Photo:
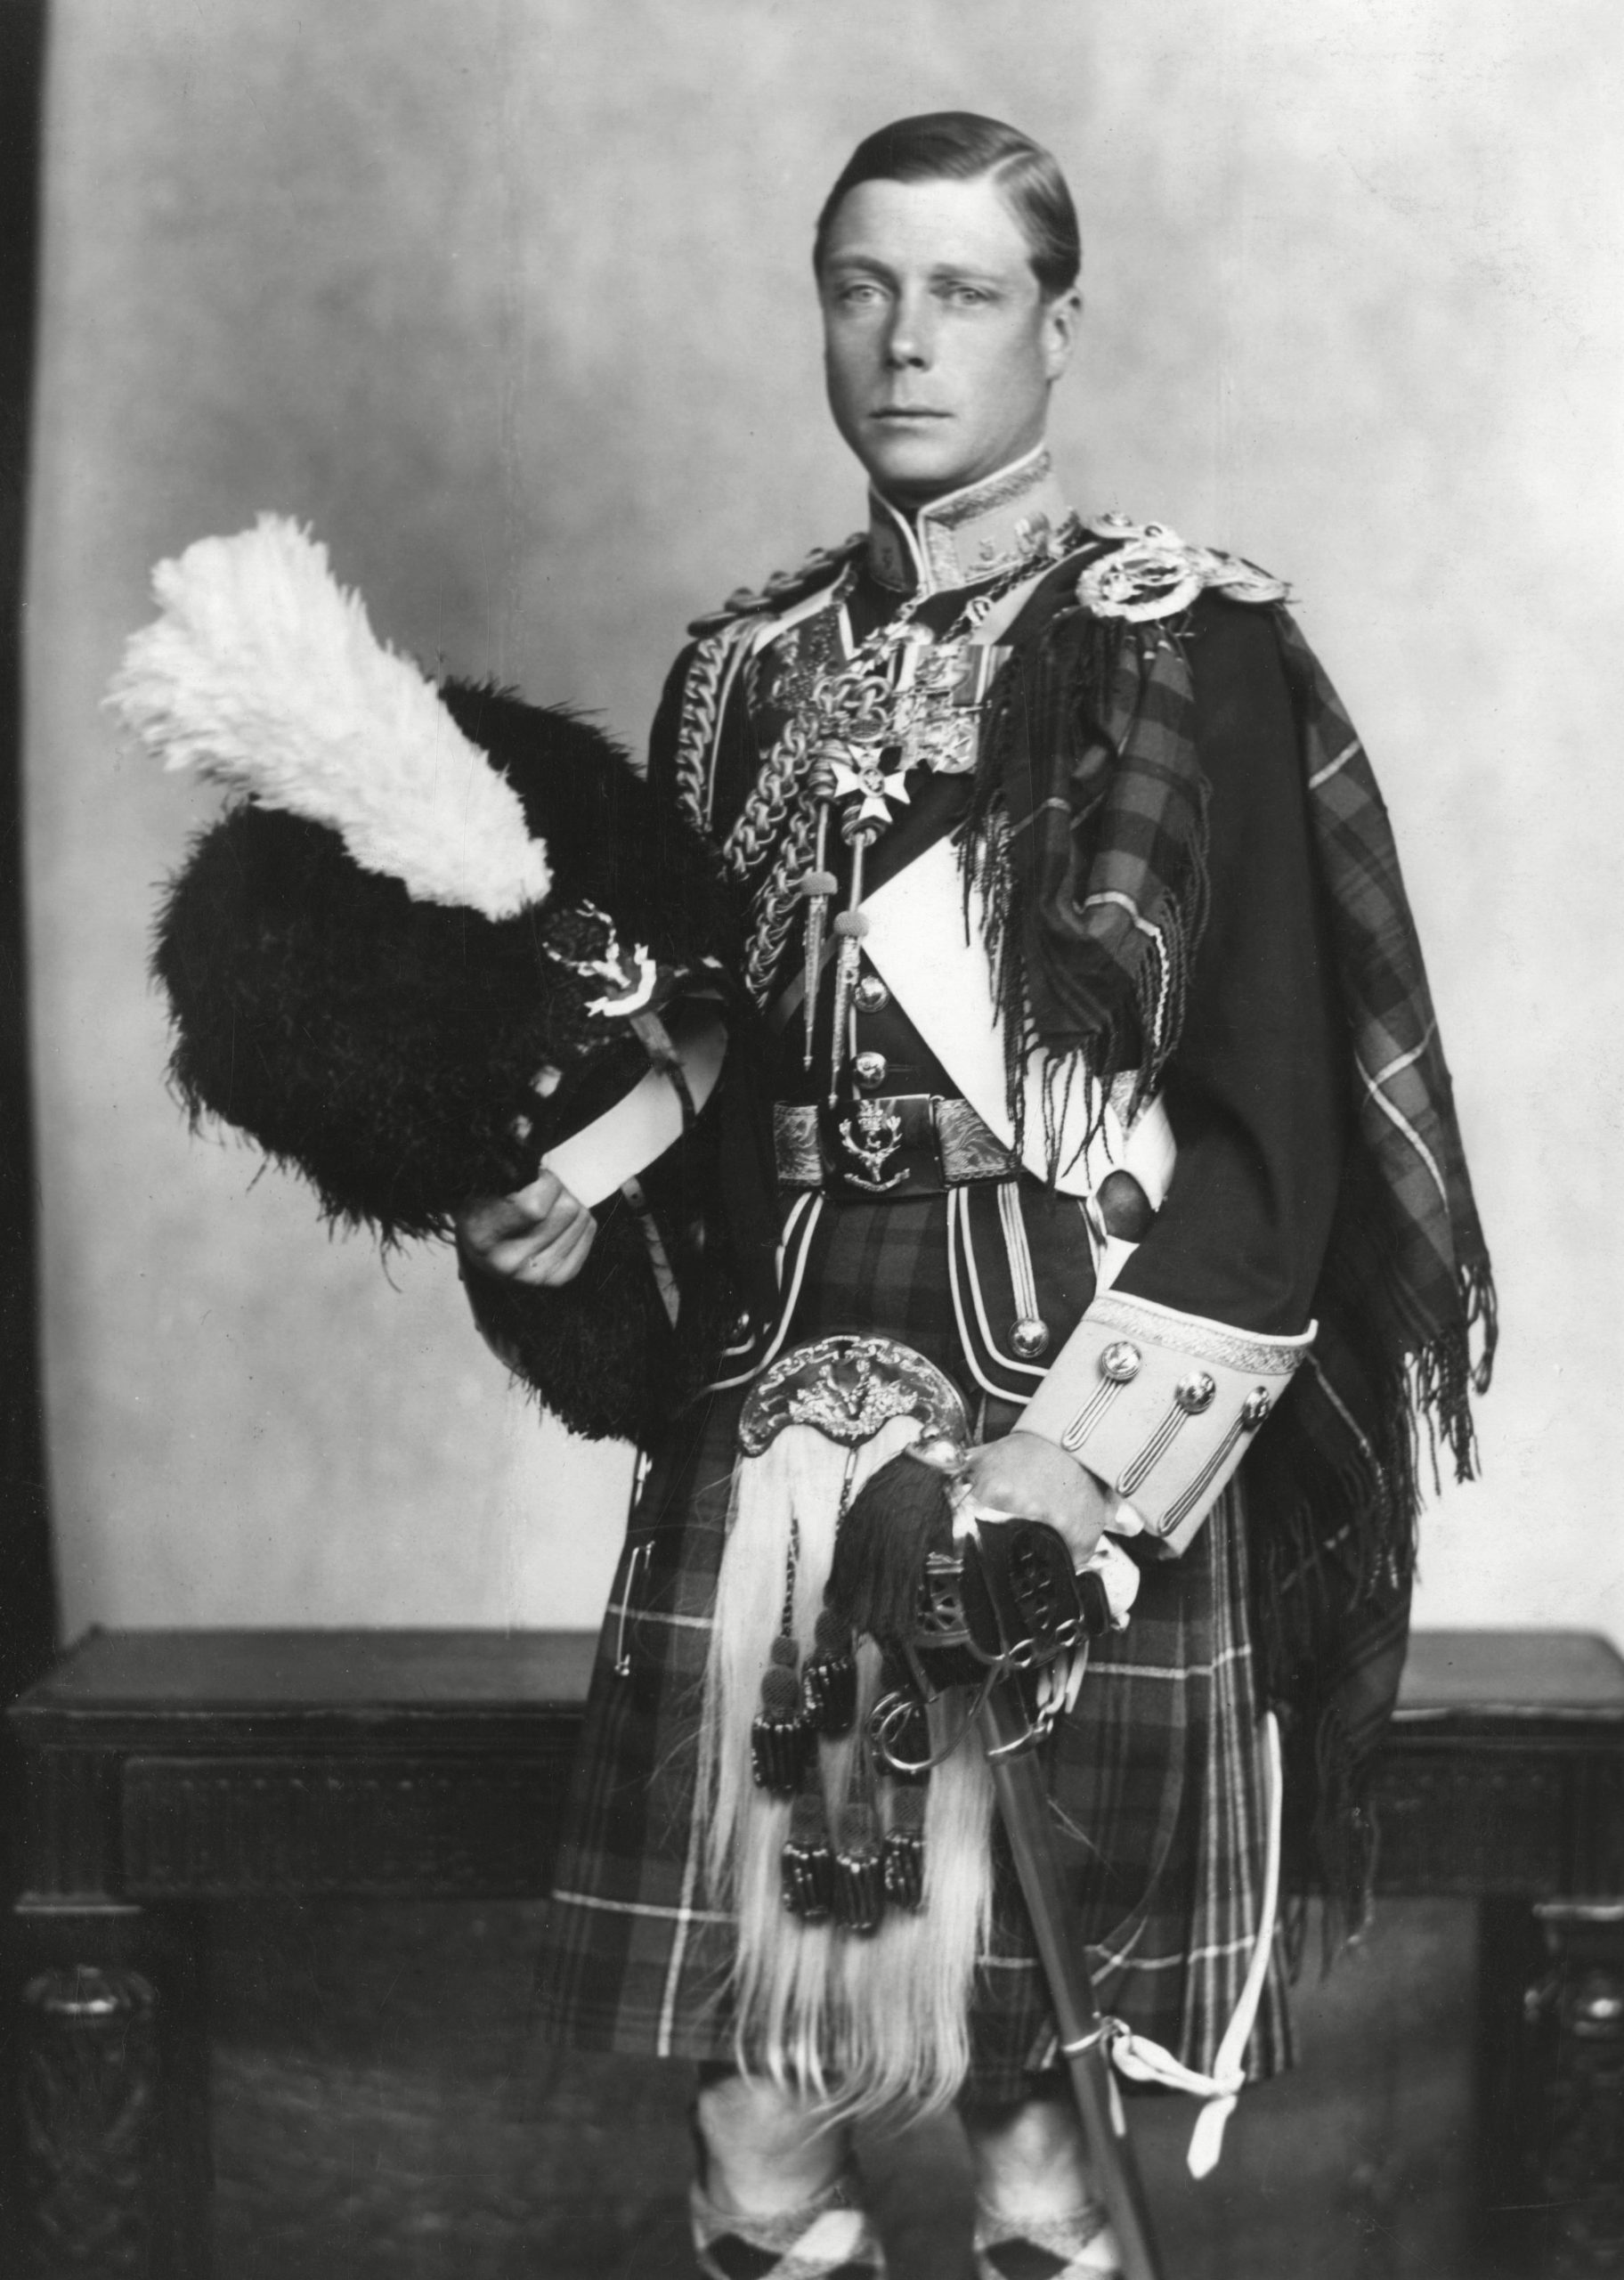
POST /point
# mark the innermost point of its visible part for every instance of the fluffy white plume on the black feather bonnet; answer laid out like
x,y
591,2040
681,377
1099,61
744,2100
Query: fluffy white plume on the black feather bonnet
x,y
263,674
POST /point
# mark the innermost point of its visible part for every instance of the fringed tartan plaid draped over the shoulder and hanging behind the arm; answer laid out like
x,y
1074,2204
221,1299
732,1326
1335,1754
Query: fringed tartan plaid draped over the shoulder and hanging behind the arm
x,y
1098,893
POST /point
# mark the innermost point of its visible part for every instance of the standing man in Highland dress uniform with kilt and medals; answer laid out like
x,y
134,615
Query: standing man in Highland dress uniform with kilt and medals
x,y
1107,1086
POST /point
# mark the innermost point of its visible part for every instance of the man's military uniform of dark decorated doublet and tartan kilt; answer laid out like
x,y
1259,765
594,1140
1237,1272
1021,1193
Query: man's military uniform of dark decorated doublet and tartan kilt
x,y
1139,1269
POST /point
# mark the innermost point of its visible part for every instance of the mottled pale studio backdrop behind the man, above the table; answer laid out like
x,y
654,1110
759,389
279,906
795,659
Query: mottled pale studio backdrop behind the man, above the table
x,y
510,300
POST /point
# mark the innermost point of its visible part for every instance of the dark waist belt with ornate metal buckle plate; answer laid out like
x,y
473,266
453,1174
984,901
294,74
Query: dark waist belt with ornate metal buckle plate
x,y
888,1143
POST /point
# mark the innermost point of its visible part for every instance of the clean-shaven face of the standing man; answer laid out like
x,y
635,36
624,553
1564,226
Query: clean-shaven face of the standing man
x,y
939,343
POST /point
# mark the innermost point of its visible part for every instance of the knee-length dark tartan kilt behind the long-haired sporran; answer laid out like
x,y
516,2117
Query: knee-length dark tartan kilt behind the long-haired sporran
x,y
1158,1775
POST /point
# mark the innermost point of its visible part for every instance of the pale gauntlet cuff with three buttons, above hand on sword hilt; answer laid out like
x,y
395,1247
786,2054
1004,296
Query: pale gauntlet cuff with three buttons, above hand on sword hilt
x,y
1162,1406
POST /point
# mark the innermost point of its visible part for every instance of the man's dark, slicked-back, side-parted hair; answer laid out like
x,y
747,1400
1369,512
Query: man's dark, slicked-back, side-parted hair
x,y
961,147
